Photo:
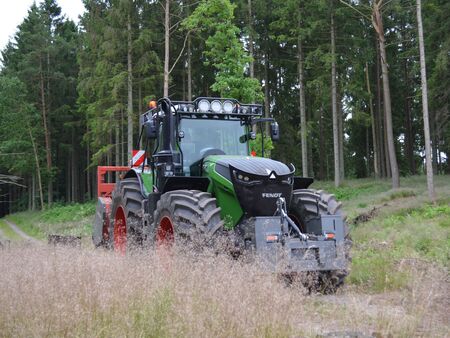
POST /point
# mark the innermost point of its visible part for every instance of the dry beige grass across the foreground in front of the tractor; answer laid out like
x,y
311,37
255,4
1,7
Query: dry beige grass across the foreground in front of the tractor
x,y
57,292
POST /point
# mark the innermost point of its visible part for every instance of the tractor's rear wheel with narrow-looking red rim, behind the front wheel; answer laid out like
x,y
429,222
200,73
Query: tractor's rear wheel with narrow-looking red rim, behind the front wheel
x,y
126,224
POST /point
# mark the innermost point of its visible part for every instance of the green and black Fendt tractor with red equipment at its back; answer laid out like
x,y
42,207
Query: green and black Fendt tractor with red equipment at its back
x,y
203,183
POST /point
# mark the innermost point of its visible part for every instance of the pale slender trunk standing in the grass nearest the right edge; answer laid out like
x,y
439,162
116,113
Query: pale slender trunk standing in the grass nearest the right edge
x,y
426,125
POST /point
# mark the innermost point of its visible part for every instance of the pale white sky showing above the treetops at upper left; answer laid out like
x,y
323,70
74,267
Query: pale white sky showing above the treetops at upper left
x,y
12,13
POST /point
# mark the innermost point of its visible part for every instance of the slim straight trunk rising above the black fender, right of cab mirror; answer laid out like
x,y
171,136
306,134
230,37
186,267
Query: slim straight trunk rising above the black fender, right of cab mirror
x,y
302,109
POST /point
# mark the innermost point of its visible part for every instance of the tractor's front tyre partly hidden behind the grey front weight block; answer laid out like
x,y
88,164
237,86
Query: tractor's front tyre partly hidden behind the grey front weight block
x,y
305,206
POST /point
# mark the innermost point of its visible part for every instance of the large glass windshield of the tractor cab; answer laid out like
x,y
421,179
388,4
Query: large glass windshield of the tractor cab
x,y
210,137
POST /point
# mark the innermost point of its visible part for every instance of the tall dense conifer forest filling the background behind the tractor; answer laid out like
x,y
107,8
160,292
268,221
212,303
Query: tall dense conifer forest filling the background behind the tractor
x,y
342,78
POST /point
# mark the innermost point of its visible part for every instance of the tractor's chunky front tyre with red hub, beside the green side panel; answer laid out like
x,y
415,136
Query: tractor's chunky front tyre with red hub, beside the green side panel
x,y
189,216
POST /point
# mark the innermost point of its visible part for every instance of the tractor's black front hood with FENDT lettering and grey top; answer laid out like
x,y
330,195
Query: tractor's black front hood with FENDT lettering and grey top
x,y
257,182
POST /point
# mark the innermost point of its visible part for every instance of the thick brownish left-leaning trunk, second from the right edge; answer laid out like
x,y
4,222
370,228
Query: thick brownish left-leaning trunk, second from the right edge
x,y
378,25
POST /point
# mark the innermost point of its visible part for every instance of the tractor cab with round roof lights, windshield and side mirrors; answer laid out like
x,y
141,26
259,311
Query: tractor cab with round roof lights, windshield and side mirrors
x,y
189,131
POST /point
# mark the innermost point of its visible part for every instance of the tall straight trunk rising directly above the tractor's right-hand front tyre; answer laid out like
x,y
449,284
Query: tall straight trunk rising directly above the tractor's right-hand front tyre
x,y
337,174
